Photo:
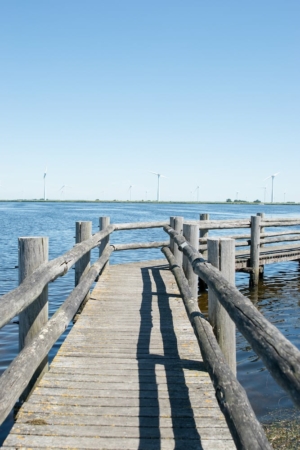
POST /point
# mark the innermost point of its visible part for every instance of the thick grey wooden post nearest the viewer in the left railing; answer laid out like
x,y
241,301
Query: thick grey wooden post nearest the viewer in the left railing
x,y
33,251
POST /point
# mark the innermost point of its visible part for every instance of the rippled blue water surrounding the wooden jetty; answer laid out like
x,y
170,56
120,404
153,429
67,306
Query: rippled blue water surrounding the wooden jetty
x,y
278,296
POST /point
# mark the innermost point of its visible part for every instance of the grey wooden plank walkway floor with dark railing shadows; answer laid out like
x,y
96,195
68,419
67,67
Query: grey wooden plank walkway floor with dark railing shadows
x,y
128,376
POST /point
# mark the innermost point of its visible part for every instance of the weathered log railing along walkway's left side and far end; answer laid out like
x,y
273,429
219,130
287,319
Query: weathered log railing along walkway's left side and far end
x,y
39,335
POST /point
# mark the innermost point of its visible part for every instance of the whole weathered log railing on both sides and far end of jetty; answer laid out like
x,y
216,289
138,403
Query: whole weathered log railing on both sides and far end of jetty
x,y
279,355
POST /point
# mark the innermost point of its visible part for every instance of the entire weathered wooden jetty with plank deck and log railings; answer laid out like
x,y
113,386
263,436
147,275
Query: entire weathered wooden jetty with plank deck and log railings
x,y
143,368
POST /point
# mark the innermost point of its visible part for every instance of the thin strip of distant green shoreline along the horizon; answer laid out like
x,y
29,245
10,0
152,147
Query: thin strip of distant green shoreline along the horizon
x,y
152,202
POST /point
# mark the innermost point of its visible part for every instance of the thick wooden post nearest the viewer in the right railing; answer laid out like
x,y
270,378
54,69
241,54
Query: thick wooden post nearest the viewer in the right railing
x,y
221,254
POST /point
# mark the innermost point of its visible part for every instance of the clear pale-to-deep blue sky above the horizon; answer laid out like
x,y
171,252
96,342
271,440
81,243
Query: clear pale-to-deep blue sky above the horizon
x,y
102,92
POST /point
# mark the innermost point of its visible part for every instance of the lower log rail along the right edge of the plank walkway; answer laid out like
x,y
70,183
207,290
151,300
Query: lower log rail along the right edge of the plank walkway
x,y
246,430
